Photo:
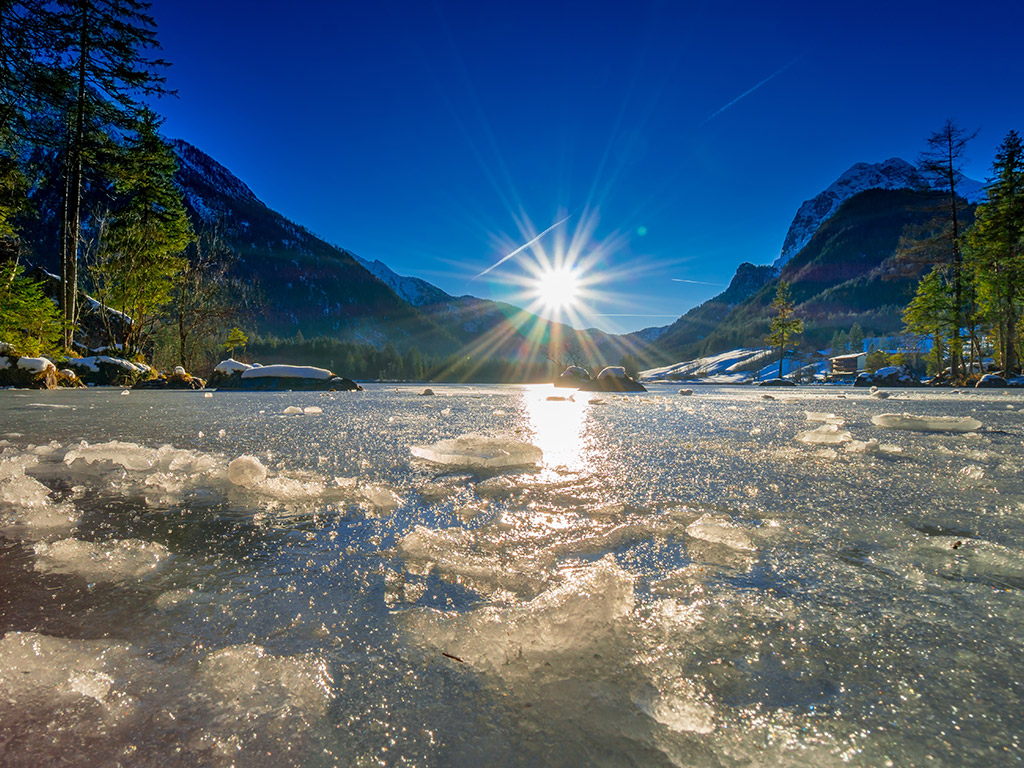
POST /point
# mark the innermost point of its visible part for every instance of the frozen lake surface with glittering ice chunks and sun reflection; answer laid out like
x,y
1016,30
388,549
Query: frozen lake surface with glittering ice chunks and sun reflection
x,y
734,578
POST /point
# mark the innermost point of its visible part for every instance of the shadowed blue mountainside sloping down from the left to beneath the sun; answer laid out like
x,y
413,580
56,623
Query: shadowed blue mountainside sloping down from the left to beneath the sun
x,y
313,287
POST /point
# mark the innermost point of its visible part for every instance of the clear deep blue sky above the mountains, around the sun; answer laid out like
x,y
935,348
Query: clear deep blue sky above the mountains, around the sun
x,y
681,137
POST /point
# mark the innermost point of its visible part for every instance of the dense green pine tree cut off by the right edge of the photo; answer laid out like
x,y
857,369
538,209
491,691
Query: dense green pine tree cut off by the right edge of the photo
x,y
997,248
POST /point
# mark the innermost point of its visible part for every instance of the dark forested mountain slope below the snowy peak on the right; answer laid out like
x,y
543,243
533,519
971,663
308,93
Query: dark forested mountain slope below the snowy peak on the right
x,y
844,275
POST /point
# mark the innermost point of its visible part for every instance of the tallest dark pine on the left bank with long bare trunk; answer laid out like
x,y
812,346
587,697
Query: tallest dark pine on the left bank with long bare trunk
x,y
105,59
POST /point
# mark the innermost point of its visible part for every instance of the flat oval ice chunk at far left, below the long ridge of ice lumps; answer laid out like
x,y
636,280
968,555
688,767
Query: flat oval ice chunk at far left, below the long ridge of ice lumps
x,y
105,562
